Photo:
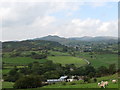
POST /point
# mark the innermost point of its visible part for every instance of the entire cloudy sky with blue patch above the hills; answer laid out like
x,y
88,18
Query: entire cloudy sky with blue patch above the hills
x,y
26,20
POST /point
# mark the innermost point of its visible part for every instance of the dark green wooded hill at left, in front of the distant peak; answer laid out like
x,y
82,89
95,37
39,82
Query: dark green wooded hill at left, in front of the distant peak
x,y
30,45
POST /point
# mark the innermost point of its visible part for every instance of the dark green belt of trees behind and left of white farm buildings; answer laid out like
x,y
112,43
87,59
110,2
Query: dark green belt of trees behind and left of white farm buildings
x,y
36,73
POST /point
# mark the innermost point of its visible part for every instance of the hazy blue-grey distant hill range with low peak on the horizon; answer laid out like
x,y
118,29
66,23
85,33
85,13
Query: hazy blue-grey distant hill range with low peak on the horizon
x,y
77,40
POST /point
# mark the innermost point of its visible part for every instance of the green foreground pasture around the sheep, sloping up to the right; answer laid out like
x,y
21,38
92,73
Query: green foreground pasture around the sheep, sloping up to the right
x,y
78,84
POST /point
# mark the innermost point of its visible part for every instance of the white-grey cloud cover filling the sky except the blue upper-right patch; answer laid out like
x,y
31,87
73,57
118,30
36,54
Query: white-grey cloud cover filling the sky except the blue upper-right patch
x,y
31,20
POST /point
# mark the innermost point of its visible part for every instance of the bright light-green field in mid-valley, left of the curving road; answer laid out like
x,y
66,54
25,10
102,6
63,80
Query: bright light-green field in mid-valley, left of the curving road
x,y
67,60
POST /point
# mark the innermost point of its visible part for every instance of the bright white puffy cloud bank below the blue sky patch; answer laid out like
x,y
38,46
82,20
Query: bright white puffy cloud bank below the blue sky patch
x,y
89,27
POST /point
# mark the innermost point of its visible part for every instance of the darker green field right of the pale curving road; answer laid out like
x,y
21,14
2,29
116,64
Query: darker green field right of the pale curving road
x,y
100,59
